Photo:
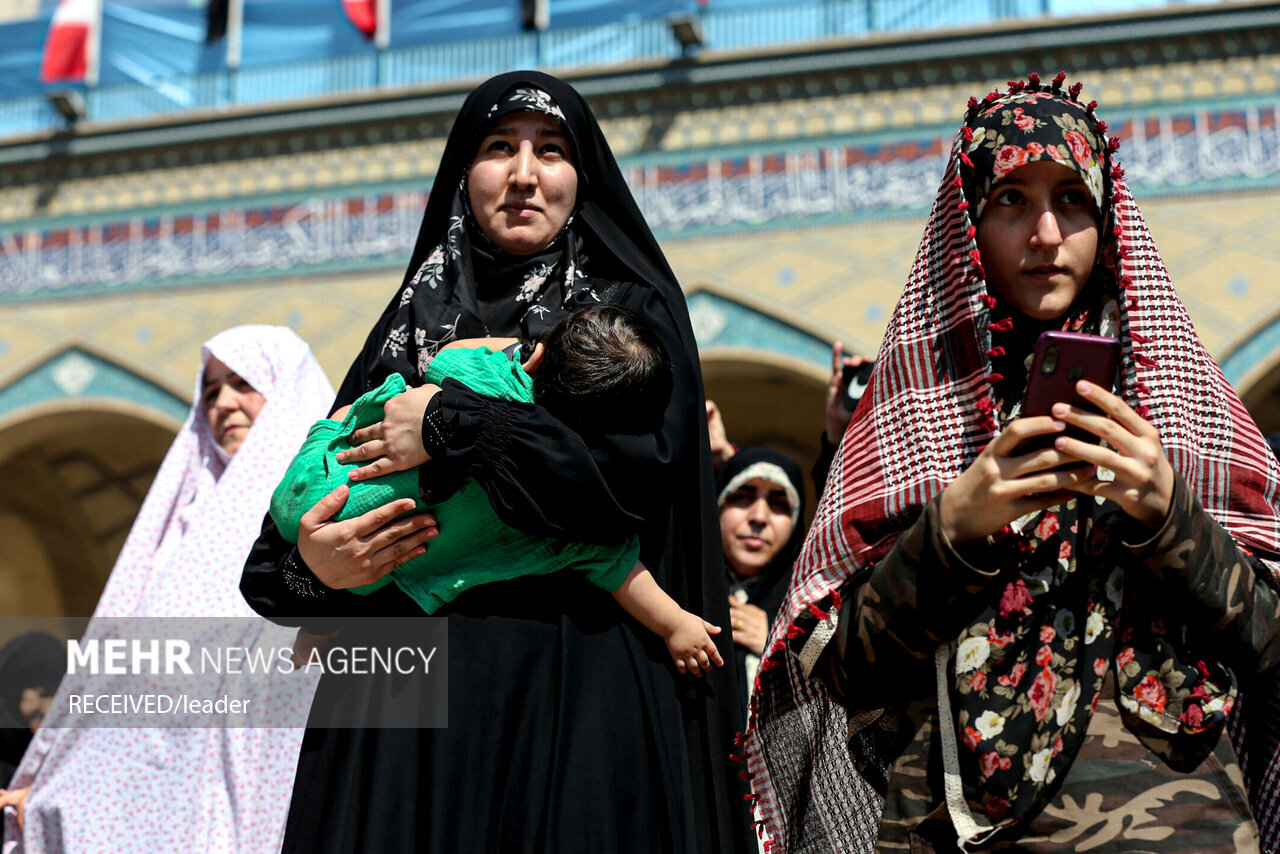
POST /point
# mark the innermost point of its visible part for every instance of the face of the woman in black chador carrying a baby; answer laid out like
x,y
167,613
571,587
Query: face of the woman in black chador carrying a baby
x,y
523,185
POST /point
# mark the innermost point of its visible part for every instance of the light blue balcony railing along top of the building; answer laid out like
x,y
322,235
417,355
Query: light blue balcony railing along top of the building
x,y
601,45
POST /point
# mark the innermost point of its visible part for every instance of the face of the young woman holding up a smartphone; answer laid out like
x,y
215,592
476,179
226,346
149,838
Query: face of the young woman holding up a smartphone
x,y
1039,239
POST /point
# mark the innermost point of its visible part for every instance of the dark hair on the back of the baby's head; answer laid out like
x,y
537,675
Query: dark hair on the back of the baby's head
x,y
605,371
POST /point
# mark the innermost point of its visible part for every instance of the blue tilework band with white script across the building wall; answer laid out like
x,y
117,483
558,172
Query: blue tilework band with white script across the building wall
x,y
801,185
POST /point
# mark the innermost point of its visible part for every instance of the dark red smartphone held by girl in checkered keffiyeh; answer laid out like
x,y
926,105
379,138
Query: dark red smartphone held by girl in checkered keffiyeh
x,y
1060,360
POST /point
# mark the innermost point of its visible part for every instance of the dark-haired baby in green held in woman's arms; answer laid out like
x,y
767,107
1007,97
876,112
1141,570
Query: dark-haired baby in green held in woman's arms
x,y
601,369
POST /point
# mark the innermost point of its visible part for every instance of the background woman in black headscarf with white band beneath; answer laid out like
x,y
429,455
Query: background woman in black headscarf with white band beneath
x,y
761,497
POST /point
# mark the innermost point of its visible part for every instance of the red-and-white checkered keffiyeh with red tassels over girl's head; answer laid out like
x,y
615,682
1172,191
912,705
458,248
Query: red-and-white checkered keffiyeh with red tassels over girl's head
x,y
930,413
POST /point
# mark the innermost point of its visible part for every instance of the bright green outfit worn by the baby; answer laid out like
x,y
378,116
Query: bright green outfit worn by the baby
x,y
474,546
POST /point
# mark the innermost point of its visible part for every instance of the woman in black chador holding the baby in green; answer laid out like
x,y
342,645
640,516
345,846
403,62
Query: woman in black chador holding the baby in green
x,y
569,730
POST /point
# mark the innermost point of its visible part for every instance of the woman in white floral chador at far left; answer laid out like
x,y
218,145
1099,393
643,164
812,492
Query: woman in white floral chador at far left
x,y
170,791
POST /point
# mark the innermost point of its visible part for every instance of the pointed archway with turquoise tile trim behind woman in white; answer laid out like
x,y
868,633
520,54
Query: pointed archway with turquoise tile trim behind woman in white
x,y
85,437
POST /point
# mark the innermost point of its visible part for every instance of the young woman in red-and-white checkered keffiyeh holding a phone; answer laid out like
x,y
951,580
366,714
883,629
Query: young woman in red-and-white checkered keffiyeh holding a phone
x,y
994,650
